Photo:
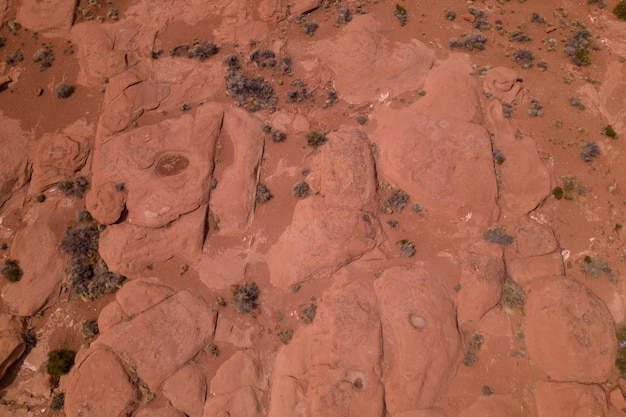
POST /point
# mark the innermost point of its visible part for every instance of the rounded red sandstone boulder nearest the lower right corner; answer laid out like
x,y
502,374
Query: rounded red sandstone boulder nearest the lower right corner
x,y
569,332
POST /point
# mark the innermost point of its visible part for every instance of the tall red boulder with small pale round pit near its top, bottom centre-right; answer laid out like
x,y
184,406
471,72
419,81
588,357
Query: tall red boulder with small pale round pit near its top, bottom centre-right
x,y
421,342
